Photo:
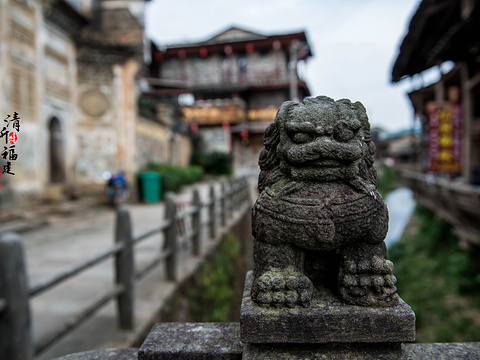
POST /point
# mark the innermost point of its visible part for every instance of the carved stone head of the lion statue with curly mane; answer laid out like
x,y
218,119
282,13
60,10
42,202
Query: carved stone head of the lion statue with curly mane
x,y
319,140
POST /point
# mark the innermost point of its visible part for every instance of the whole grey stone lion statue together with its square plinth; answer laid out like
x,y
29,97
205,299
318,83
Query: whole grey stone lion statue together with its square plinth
x,y
321,282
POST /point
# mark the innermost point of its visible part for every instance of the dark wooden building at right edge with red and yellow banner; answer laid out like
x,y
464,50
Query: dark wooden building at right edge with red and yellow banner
x,y
447,31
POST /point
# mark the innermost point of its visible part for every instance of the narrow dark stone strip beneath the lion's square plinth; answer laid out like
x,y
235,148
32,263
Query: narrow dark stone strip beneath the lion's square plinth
x,y
385,351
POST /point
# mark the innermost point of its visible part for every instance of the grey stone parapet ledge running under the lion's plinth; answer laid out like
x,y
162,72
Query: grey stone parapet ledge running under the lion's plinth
x,y
335,351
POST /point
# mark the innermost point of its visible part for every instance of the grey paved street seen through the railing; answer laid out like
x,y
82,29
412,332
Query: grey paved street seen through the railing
x,y
68,241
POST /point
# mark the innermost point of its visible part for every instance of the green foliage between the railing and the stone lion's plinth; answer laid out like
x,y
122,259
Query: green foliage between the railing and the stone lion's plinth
x,y
213,296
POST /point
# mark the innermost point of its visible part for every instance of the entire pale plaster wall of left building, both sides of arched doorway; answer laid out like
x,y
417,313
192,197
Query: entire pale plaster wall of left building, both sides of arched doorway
x,y
91,144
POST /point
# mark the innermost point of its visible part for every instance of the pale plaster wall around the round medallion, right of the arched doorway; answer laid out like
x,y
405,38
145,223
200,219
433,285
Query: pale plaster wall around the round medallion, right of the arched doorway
x,y
108,142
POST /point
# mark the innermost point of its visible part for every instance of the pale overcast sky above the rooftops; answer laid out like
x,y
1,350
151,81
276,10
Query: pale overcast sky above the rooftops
x,y
354,42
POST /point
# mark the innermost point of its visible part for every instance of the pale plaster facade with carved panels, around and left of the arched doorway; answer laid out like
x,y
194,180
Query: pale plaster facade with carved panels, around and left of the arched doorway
x,y
32,166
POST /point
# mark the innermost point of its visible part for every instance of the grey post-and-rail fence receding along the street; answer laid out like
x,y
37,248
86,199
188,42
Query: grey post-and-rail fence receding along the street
x,y
15,294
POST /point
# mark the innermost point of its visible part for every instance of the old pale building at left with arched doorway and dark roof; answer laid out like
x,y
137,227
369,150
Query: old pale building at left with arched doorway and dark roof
x,y
68,68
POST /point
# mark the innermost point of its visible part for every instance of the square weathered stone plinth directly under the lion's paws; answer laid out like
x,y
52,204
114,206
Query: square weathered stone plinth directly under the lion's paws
x,y
326,320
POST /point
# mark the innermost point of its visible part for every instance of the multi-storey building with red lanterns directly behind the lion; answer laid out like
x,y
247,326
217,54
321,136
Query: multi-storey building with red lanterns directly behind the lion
x,y
237,80
